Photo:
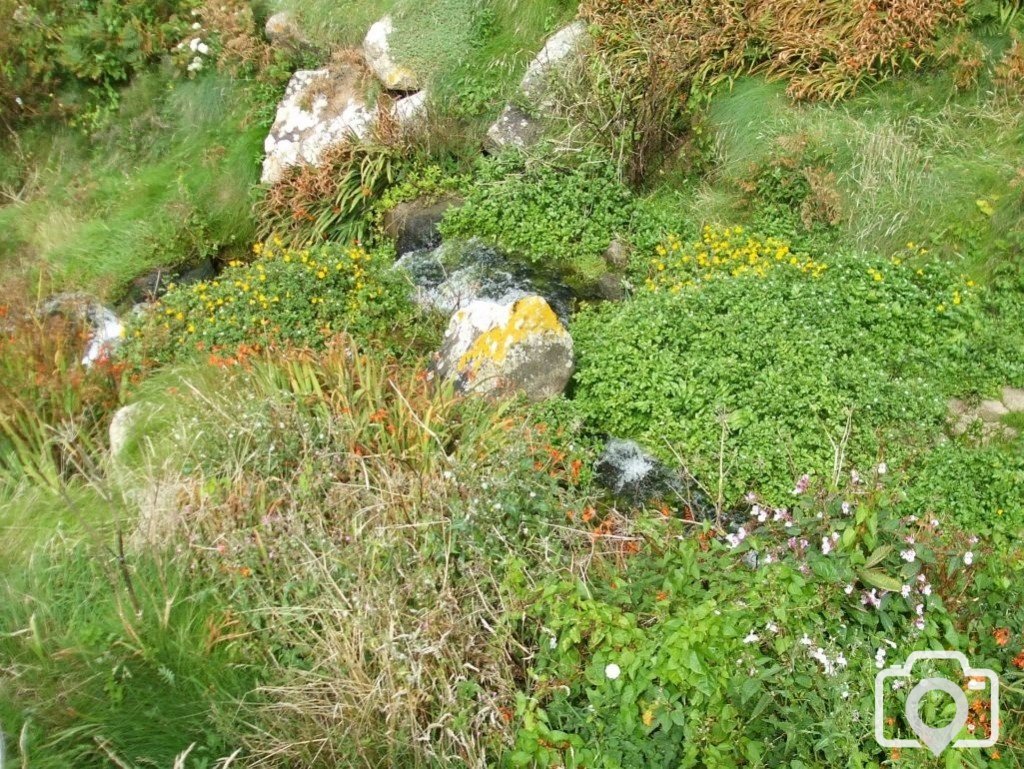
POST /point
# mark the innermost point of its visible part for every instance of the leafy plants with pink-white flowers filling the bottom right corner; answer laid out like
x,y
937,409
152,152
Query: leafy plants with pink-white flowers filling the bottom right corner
x,y
686,655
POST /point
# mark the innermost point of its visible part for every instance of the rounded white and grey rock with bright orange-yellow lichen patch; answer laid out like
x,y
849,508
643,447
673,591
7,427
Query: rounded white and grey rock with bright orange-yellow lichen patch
x,y
494,349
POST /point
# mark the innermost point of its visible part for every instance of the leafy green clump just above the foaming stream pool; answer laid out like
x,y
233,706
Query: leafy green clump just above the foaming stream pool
x,y
560,217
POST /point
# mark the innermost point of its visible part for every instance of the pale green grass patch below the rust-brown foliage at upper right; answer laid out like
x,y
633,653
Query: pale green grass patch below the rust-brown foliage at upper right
x,y
911,160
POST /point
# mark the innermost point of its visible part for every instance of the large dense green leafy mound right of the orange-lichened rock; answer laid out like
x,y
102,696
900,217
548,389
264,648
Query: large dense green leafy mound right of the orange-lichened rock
x,y
789,362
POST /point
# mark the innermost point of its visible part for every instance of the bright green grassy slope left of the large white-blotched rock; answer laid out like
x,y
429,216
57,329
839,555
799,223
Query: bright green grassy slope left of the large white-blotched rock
x,y
168,182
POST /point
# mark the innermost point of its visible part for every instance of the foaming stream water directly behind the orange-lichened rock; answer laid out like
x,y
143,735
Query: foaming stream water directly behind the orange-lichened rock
x,y
455,275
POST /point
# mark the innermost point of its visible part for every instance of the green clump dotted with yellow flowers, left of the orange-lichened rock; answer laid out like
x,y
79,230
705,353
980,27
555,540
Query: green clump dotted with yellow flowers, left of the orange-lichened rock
x,y
297,297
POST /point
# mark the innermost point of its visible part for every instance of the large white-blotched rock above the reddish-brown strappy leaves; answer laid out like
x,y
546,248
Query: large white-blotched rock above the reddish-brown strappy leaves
x,y
321,109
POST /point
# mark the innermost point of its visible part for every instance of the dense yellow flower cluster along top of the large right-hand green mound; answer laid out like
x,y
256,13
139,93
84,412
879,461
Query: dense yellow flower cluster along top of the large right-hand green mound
x,y
723,253
